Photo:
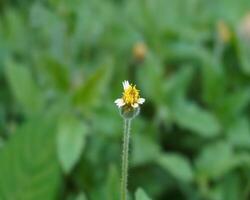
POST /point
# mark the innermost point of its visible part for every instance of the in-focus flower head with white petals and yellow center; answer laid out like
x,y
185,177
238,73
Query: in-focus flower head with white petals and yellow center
x,y
130,98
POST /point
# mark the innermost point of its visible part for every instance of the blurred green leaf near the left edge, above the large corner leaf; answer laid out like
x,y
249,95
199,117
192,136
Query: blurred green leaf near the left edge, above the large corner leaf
x,y
23,86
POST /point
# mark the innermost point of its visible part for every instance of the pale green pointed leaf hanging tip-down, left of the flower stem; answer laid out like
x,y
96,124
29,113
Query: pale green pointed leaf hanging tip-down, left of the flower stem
x,y
70,142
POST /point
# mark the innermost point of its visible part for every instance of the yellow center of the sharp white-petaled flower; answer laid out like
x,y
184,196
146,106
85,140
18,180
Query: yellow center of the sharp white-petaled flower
x,y
130,95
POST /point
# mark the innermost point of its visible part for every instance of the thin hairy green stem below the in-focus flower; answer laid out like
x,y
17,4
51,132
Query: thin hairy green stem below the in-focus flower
x,y
125,151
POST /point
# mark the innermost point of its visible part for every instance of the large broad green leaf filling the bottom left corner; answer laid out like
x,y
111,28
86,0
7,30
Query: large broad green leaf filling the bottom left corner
x,y
28,164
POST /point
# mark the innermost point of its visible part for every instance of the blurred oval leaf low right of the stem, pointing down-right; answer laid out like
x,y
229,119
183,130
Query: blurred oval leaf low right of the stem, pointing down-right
x,y
177,165
